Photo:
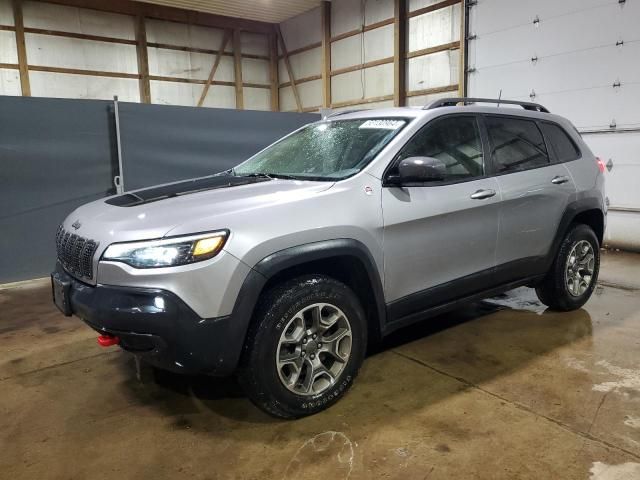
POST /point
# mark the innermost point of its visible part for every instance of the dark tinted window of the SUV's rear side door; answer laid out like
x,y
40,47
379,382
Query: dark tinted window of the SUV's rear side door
x,y
516,144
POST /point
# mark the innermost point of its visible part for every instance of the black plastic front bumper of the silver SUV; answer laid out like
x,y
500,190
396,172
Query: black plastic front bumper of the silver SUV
x,y
157,325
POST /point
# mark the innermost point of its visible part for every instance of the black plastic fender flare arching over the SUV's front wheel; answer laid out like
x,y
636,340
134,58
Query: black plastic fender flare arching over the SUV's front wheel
x,y
277,262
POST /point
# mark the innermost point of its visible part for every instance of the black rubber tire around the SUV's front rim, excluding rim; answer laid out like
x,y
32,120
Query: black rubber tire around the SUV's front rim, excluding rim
x,y
258,373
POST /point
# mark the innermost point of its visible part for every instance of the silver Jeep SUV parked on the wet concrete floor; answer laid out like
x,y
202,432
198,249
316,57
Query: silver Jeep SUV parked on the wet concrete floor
x,y
283,269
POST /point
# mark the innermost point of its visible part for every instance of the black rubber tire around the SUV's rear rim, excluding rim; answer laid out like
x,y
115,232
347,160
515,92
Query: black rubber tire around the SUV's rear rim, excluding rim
x,y
553,290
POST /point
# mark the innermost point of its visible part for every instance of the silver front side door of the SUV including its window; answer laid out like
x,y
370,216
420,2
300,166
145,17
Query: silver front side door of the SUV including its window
x,y
440,237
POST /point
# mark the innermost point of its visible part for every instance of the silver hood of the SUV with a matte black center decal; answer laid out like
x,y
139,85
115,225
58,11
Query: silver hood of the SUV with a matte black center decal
x,y
198,207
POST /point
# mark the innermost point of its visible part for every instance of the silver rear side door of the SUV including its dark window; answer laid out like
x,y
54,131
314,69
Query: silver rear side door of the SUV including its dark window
x,y
535,188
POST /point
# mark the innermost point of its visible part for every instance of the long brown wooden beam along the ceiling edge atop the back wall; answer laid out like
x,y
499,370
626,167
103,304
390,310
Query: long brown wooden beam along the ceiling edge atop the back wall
x,y
161,12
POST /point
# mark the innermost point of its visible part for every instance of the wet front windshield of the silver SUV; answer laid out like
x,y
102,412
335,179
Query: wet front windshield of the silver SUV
x,y
330,150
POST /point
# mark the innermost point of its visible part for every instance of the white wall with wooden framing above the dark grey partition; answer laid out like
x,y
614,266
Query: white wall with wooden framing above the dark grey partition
x,y
342,54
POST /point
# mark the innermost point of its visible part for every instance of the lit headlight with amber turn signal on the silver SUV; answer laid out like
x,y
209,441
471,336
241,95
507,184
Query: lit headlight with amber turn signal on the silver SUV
x,y
167,252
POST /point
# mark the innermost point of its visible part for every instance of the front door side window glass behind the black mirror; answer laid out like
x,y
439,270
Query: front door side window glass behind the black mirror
x,y
455,141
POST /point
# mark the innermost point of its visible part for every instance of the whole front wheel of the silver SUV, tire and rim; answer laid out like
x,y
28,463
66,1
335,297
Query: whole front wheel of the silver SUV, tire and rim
x,y
305,346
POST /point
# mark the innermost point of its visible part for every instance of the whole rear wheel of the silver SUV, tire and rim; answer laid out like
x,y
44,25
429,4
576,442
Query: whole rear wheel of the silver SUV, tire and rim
x,y
573,275
